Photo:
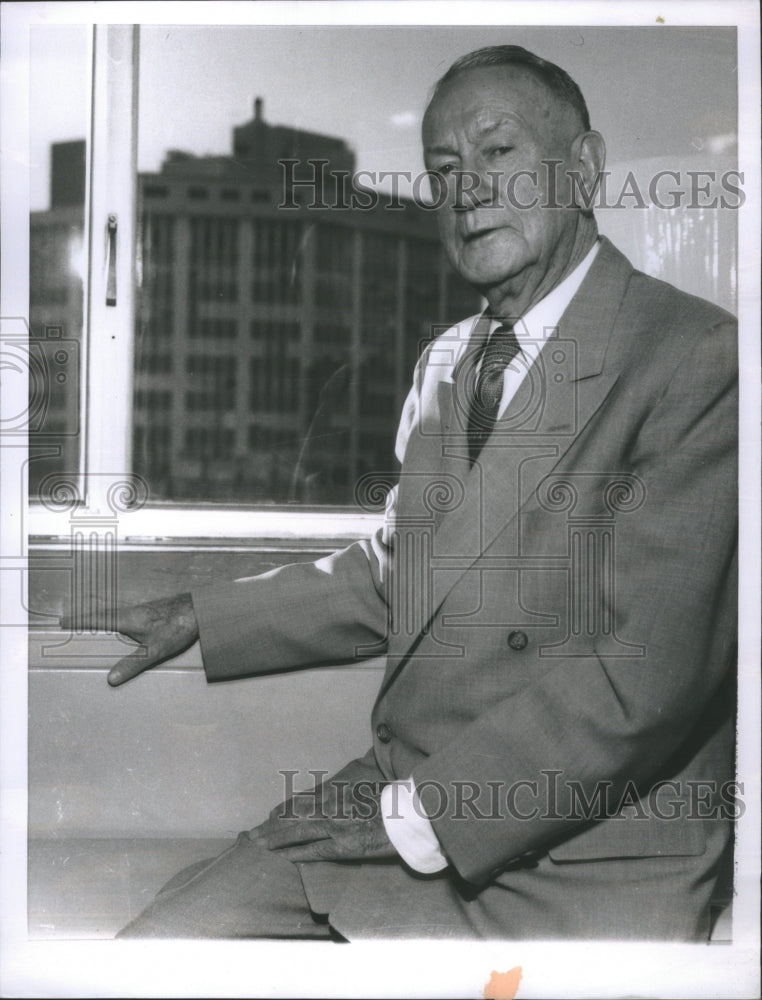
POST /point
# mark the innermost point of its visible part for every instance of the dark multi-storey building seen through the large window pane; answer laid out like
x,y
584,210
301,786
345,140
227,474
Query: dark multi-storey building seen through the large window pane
x,y
275,344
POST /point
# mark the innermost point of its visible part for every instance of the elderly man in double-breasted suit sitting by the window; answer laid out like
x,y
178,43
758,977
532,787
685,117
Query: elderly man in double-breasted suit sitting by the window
x,y
554,589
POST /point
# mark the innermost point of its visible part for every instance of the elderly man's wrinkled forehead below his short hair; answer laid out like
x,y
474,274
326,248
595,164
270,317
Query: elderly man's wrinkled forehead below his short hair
x,y
478,100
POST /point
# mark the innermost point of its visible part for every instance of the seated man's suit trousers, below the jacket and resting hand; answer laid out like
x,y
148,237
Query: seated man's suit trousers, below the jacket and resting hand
x,y
250,892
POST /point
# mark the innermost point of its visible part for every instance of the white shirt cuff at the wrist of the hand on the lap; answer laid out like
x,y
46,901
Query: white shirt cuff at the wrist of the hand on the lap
x,y
409,828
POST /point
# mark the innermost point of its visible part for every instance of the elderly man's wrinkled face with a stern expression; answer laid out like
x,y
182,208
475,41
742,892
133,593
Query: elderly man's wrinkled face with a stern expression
x,y
493,123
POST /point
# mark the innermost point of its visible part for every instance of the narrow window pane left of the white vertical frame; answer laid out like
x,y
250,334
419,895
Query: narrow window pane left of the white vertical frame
x,y
59,118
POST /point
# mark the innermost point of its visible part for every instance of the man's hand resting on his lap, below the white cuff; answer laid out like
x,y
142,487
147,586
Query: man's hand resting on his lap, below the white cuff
x,y
326,839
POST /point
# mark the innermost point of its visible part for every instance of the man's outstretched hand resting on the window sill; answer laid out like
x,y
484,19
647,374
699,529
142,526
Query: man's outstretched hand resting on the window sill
x,y
164,628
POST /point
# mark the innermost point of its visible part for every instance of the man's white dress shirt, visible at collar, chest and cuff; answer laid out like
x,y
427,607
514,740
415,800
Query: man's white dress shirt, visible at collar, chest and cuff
x,y
406,823
